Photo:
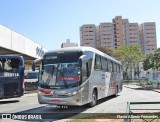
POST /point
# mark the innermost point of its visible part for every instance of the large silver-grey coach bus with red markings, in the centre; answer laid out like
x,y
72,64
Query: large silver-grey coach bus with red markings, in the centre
x,y
76,76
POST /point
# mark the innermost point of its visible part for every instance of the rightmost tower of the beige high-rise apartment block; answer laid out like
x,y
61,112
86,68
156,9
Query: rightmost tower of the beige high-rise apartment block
x,y
148,37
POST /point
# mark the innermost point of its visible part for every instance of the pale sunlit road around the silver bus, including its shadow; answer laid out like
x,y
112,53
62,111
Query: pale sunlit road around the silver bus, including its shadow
x,y
29,104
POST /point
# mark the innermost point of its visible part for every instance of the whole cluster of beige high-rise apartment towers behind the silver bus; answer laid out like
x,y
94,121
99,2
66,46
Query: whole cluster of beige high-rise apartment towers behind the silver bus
x,y
119,33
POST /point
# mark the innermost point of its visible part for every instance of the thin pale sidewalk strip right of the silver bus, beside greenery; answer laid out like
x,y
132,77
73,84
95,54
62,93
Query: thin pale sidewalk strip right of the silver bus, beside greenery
x,y
134,86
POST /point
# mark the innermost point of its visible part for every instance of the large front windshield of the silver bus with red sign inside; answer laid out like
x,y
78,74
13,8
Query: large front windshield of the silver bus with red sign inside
x,y
60,71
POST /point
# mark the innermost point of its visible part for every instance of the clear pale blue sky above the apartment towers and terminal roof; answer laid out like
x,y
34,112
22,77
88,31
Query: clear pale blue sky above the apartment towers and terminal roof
x,y
51,22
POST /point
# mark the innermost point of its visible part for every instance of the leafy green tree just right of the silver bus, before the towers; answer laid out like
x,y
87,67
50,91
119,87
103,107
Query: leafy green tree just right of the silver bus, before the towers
x,y
129,56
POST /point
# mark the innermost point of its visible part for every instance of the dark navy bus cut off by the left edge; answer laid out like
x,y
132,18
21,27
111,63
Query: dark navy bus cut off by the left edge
x,y
11,76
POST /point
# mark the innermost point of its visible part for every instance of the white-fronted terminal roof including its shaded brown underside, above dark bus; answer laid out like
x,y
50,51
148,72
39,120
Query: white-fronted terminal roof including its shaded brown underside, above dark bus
x,y
13,43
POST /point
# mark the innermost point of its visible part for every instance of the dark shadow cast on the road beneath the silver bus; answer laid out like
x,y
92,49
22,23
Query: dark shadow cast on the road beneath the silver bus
x,y
53,113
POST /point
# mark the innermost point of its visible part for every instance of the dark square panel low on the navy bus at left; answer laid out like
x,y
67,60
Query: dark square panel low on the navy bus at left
x,y
10,89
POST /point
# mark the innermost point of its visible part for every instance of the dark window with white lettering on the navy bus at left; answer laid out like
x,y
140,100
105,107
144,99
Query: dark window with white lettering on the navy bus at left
x,y
9,67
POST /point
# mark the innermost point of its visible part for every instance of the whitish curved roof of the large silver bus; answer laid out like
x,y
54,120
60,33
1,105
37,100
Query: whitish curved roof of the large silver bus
x,y
82,48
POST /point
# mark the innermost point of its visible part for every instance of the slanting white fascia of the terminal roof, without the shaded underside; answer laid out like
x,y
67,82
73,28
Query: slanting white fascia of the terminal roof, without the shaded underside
x,y
14,41
